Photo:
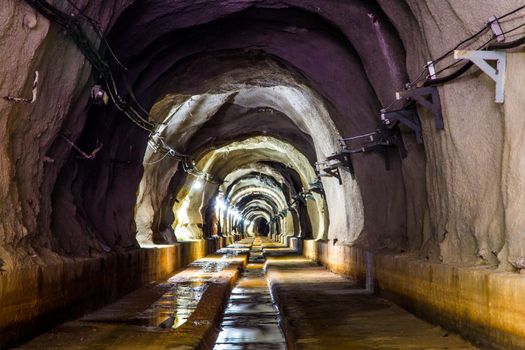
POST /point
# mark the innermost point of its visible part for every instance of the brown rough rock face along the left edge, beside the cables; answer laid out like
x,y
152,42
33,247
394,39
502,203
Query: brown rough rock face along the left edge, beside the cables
x,y
31,152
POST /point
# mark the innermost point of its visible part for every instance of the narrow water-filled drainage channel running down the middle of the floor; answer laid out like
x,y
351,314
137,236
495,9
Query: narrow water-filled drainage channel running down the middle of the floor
x,y
251,320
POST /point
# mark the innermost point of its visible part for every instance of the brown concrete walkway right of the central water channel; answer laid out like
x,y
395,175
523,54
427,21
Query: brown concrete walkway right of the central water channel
x,y
321,310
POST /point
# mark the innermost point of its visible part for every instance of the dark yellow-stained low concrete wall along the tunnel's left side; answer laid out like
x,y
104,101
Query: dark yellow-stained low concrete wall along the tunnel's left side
x,y
64,288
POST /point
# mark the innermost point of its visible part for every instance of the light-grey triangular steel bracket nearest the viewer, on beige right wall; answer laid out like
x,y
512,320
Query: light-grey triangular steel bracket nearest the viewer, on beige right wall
x,y
481,59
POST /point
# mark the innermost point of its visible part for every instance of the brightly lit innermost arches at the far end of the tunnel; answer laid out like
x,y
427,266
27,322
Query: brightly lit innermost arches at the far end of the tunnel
x,y
246,196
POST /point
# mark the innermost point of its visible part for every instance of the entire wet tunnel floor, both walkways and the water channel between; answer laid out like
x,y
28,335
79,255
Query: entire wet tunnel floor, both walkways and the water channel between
x,y
316,309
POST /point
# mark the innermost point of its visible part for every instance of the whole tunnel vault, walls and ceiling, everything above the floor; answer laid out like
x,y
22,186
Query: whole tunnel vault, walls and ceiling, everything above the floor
x,y
83,185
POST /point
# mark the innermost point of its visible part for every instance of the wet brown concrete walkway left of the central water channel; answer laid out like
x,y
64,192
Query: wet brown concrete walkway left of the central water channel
x,y
180,313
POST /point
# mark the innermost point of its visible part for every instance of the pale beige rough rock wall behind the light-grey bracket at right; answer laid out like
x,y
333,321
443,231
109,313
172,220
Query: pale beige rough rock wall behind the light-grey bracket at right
x,y
473,186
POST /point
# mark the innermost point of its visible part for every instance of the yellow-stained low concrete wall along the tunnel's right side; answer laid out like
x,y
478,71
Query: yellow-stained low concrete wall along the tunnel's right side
x,y
482,304
